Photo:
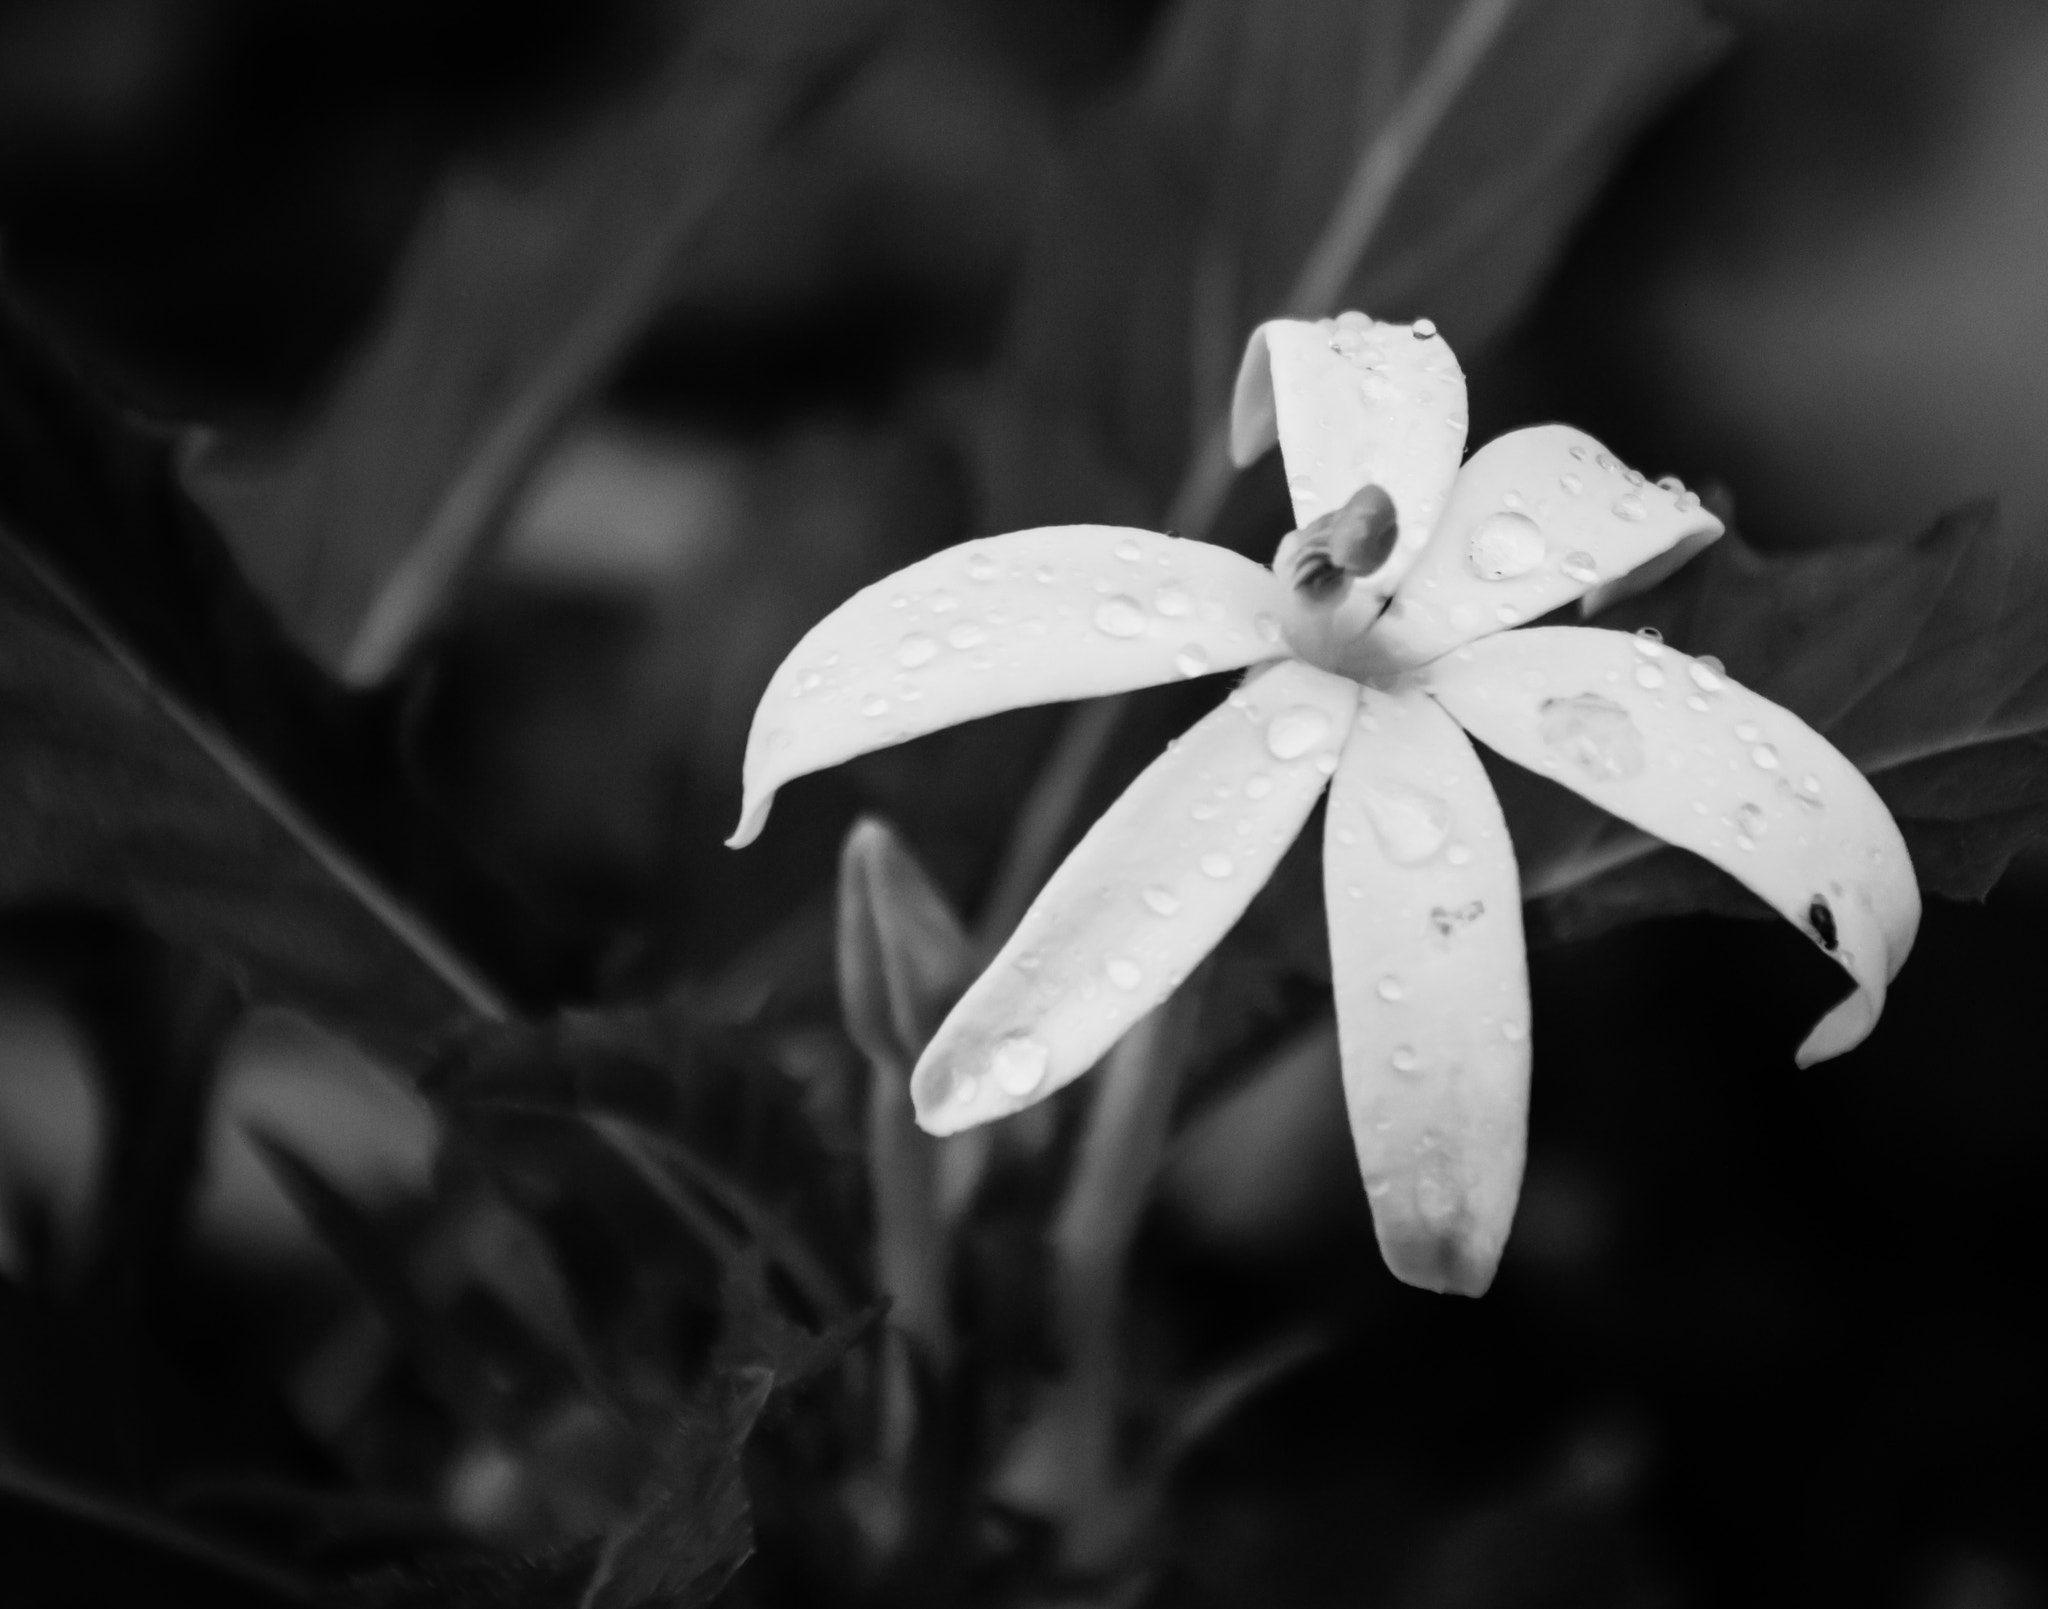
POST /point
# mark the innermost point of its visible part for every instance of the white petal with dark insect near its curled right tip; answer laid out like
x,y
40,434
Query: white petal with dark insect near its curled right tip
x,y
1678,750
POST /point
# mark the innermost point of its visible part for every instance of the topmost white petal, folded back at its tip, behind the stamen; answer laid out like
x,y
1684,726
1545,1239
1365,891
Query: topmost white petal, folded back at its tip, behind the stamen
x,y
1355,404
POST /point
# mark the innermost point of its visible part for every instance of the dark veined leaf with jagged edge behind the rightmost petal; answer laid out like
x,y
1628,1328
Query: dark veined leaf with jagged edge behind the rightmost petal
x,y
1926,662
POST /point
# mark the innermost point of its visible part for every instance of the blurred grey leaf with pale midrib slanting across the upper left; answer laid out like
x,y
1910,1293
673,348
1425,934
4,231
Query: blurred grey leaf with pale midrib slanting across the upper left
x,y
523,286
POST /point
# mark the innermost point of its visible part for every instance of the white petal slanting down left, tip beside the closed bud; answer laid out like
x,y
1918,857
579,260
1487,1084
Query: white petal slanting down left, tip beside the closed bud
x,y
1142,900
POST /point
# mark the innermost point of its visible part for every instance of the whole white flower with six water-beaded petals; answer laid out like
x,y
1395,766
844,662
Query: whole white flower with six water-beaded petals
x,y
1371,644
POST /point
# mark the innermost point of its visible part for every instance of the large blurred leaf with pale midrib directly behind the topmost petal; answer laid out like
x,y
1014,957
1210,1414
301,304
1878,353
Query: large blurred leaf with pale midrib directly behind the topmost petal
x,y
1299,157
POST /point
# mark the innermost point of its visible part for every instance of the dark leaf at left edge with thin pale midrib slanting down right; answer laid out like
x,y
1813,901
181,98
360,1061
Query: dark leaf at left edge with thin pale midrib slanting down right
x,y
173,756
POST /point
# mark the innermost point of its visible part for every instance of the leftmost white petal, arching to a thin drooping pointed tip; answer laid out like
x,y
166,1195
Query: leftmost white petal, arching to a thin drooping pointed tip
x,y
1000,623
